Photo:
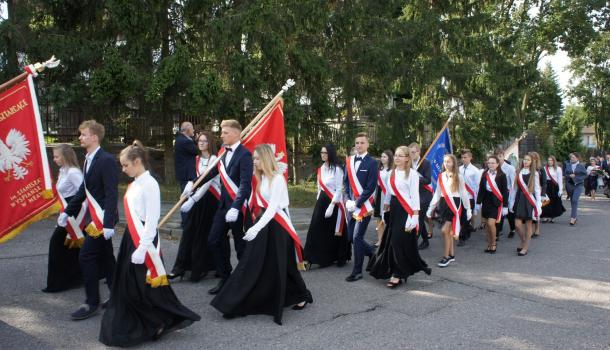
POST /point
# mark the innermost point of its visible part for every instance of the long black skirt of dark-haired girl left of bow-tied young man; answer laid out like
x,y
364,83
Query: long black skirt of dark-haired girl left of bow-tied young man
x,y
322,246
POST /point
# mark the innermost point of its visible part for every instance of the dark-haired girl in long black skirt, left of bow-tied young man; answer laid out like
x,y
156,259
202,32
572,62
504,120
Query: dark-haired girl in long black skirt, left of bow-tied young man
x,y
327,241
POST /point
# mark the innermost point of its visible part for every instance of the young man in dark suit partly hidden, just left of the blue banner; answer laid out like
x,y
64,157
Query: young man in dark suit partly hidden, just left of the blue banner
x,y
422,166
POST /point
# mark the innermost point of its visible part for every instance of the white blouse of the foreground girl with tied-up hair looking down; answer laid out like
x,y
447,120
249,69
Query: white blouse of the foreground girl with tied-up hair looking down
x,y
145,198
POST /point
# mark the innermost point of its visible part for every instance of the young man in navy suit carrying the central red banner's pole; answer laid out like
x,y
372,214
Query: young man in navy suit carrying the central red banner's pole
x,y
235,171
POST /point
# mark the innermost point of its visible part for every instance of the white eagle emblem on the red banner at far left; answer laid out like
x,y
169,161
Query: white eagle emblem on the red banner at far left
x,y
13,154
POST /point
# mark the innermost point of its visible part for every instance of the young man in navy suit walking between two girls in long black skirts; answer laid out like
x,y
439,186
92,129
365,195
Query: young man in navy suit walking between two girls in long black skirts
x,y
360,182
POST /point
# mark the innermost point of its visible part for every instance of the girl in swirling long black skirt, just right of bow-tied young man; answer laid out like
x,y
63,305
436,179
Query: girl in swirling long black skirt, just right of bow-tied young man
x,y
398,256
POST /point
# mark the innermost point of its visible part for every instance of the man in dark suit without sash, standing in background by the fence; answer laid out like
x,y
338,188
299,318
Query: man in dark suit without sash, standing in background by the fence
x,y
185,153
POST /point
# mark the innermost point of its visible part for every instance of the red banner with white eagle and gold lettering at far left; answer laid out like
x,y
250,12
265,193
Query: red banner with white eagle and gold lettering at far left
x,y
26,193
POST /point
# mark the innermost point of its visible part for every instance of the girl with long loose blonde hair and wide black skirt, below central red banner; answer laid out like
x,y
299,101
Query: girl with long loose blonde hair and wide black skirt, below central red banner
x,y
266,278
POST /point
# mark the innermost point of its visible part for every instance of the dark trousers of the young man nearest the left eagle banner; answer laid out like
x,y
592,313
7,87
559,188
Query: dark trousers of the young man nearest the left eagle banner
x,y
96,259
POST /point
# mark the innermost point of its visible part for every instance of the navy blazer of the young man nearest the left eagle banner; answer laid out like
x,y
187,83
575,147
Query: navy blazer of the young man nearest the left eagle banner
x,y
102,181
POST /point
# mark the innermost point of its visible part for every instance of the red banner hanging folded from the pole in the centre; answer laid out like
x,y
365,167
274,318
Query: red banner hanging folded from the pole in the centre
x,y
270,130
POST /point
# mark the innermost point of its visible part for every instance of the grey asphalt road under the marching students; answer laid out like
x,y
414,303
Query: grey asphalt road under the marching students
x,y
557,297
